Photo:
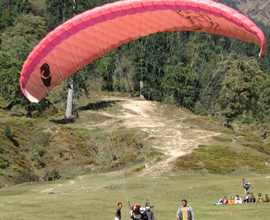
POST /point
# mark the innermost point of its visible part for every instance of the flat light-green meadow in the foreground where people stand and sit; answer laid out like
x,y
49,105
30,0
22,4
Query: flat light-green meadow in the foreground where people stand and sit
x,y
94,197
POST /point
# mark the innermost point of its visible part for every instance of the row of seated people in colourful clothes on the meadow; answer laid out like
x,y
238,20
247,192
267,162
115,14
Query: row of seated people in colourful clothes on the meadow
x,y
247,199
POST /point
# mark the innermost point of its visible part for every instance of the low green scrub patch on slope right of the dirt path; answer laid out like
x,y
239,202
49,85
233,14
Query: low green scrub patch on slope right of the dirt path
x,y
219,159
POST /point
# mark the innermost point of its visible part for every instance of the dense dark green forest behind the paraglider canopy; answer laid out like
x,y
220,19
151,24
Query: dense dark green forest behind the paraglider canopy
x,y
207,74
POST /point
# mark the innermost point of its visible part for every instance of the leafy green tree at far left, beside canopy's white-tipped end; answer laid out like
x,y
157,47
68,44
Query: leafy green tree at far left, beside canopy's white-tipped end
x,y
17,42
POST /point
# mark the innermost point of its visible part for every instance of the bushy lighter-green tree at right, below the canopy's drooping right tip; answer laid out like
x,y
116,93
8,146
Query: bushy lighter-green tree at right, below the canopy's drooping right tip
x,y
241,89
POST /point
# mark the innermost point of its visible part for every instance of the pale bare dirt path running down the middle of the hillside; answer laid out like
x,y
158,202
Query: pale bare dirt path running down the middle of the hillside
x,y
170,137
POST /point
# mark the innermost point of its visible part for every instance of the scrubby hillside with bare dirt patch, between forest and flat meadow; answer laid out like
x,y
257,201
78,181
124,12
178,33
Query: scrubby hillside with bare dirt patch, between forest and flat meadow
x,y
111,129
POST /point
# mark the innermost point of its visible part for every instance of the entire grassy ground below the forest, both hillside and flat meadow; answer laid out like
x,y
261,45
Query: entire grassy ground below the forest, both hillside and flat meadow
x,y
156,139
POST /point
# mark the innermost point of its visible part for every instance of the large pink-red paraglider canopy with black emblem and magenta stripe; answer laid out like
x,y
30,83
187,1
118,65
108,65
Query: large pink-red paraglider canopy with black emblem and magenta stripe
x,y
88,36
